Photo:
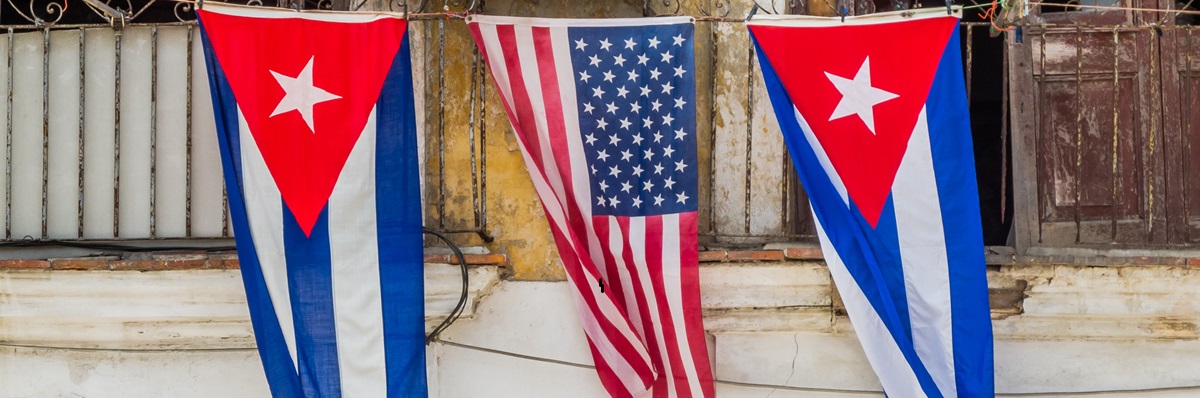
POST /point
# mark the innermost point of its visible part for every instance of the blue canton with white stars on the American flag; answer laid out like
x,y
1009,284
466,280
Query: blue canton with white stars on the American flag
x,y
638,95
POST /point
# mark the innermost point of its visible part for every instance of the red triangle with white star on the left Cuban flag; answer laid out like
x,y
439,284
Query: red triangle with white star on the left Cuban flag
x,y
307,89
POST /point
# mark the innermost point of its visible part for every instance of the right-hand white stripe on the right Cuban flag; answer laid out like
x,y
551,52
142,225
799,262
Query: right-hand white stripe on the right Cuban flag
x,y
923,256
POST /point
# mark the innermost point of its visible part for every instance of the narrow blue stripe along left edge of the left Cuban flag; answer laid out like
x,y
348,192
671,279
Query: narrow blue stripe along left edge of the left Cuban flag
x,y
273,351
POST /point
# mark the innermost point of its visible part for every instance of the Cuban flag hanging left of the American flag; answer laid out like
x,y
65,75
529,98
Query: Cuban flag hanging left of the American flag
x,y
315,119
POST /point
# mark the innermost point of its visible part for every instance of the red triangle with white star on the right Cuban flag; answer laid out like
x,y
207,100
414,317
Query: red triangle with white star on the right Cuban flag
x,y
860,92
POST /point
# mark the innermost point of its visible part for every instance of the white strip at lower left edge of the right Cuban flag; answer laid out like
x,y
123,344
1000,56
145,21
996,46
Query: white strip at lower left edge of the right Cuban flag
x,y
883,353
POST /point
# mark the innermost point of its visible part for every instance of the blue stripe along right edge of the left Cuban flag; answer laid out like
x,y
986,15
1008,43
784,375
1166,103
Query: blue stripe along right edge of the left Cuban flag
x,y
399,222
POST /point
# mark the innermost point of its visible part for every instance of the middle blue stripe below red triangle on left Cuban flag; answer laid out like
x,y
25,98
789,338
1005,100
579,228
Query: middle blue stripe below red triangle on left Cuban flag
x,y
310,282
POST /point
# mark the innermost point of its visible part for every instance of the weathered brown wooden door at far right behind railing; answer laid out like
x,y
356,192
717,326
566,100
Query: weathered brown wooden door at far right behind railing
x,y
1109,149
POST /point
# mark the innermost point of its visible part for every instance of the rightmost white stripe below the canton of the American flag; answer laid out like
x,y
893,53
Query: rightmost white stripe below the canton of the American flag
x,y
673,278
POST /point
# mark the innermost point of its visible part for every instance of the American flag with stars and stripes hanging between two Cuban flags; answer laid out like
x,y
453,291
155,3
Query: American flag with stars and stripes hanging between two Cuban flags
x,y
605,114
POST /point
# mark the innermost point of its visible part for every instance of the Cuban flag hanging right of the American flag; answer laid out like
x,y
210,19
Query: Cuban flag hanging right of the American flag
x,y
881,138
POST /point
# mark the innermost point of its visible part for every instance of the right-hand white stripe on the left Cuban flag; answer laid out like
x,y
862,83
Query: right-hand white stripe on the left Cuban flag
x,y
355,254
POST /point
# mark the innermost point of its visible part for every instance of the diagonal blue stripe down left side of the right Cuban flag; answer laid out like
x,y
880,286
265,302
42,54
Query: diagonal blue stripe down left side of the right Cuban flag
x,y
830,209
